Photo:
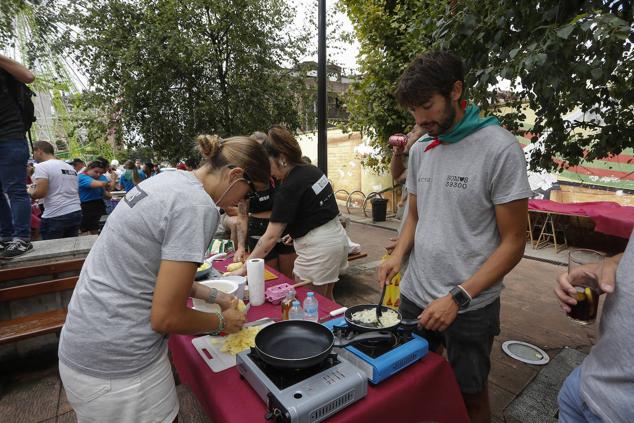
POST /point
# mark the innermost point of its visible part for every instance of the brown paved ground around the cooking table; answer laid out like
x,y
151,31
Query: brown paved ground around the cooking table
x,y
32,391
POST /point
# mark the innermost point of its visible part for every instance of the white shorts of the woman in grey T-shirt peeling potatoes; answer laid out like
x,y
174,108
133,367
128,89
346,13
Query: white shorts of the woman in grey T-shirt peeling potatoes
x,y
149,396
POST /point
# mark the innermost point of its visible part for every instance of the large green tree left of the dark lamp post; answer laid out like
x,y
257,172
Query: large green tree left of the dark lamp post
x,y
171,69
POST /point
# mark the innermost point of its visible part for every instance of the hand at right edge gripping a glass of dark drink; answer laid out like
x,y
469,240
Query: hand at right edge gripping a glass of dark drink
x,y
604,272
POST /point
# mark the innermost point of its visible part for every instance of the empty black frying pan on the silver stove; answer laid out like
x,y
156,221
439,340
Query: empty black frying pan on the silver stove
x,y
299,344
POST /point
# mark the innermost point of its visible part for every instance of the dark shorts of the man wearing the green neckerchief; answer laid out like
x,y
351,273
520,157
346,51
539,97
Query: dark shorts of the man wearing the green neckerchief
x,y
468,340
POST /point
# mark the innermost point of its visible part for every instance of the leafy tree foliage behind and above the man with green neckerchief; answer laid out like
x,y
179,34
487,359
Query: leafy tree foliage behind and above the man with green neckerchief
x,y
561,56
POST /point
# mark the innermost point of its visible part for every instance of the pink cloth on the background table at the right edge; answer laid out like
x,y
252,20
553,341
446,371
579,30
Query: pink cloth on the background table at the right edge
x,y
610,218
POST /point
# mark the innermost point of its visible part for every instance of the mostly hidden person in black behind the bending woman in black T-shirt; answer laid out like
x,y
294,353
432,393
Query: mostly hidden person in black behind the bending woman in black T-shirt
x,y
252,221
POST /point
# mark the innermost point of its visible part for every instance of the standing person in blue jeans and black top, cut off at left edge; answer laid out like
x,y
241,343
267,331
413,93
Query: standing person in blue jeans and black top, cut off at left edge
x,y
15,204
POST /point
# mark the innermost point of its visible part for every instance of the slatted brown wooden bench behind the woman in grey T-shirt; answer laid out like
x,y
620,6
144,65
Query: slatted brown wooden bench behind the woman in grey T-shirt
x,y
38,323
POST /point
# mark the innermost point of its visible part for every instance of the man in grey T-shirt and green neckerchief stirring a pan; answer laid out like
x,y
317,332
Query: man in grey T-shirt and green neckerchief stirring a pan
x,y
466,225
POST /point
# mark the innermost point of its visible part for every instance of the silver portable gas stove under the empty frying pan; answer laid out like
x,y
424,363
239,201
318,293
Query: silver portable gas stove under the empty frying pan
x,y
304,396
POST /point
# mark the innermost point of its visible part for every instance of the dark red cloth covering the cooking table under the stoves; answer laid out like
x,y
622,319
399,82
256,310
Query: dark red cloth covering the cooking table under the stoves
x,y
425,391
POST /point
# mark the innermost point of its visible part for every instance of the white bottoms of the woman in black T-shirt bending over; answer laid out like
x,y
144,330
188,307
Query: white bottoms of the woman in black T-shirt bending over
x,y
322,254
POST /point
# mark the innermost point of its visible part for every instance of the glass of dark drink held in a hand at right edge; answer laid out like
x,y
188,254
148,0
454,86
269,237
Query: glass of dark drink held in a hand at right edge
x,y
586,286
